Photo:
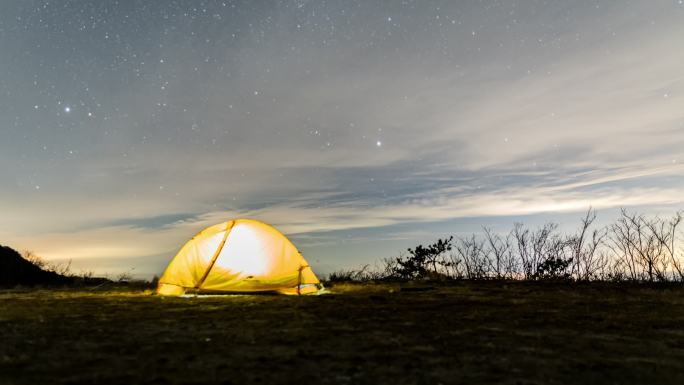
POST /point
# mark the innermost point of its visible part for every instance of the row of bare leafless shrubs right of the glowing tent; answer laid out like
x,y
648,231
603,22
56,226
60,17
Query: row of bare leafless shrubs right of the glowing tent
x,y
633,248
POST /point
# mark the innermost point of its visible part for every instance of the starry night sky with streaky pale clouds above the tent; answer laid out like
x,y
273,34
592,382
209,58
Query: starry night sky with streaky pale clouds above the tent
x,y
358,128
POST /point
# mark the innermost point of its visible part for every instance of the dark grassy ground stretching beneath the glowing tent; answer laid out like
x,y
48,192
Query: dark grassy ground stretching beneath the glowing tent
x,y
477,332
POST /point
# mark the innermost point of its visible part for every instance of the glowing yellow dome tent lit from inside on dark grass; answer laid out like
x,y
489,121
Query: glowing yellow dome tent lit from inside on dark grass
x,y
242,255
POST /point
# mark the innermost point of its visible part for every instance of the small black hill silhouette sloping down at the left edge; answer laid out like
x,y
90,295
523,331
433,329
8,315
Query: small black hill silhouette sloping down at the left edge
x,y
15,270
